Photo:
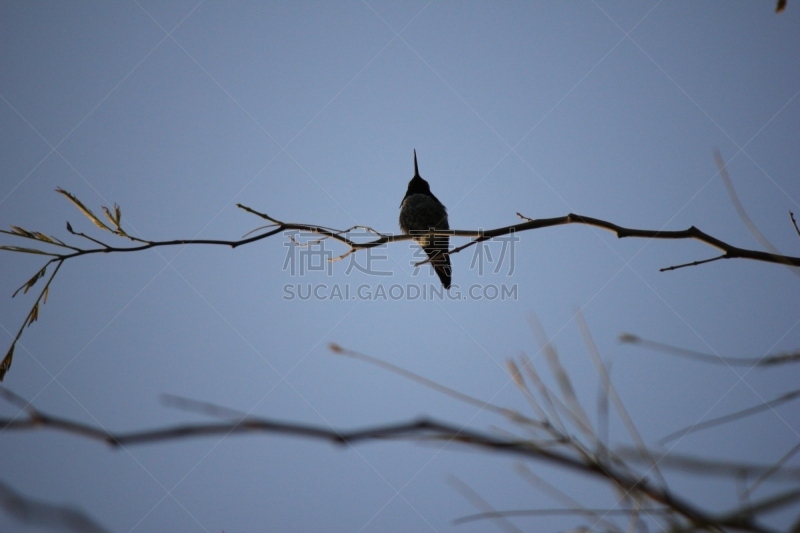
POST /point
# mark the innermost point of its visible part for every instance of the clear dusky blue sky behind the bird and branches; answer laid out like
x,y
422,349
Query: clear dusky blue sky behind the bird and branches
x,y
310,112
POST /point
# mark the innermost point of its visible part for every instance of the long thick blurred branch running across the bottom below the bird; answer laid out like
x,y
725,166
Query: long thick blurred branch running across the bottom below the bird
x,y
423,430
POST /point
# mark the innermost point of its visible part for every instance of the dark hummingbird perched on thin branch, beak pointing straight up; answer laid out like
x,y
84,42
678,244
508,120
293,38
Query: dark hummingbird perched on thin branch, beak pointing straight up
x,y
421,211
